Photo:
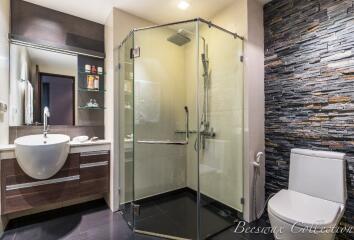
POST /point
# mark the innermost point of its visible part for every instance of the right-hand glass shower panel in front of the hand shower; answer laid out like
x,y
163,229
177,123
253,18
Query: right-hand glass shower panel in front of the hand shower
x,y
221,126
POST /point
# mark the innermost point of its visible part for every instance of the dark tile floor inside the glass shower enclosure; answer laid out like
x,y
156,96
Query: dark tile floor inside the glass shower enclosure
x,y
176,215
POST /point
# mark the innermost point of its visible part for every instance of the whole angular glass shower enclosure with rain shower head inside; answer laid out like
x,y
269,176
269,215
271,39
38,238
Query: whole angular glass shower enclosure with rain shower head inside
x,y
181,121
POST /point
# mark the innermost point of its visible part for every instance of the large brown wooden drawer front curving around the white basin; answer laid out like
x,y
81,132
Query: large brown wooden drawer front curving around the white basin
x,y
21,192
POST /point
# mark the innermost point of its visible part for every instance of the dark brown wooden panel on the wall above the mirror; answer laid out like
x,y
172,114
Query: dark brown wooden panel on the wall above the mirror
x,y
40,25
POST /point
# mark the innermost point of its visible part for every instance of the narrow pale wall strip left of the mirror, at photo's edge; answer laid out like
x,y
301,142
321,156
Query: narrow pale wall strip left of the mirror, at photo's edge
x,y
4,68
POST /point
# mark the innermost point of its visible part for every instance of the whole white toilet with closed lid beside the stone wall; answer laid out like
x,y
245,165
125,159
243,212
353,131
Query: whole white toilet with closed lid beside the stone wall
x,y
315,200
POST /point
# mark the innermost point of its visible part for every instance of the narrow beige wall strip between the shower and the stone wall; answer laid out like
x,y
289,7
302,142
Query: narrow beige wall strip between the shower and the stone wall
x,y
254,103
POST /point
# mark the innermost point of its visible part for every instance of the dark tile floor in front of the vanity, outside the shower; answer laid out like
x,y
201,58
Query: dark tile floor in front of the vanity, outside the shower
x,y
89,221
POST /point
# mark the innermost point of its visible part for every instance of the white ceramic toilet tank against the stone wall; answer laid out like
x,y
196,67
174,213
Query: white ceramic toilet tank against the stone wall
x,y
319,174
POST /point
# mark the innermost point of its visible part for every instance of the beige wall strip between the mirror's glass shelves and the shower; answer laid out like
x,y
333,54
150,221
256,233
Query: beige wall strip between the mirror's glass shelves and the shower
x,y
117,27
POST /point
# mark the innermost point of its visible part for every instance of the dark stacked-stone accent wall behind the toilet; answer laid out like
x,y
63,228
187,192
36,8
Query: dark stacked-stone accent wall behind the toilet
x,y
309,85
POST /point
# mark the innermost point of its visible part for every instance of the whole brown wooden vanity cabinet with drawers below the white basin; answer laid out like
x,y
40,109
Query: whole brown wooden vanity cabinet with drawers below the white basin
x,y
83,174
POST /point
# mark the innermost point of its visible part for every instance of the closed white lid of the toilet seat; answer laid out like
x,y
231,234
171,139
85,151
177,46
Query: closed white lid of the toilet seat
x,y
304,210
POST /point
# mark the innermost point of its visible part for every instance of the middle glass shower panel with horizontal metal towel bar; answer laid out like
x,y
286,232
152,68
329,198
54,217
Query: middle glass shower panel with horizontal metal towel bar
x,y
165,102
